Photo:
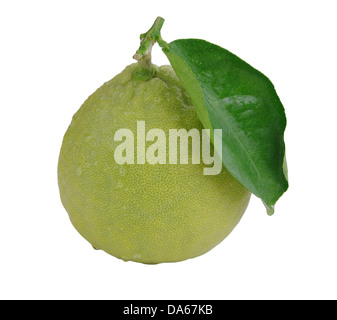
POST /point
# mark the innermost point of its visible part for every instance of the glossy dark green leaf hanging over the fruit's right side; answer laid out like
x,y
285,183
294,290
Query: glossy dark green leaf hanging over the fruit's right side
x,y
231,95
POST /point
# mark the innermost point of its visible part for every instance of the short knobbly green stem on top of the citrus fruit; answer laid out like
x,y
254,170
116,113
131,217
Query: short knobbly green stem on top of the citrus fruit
x,y
146,70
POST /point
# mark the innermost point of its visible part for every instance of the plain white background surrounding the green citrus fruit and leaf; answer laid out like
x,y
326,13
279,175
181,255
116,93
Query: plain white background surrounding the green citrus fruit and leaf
x,y
53,54
